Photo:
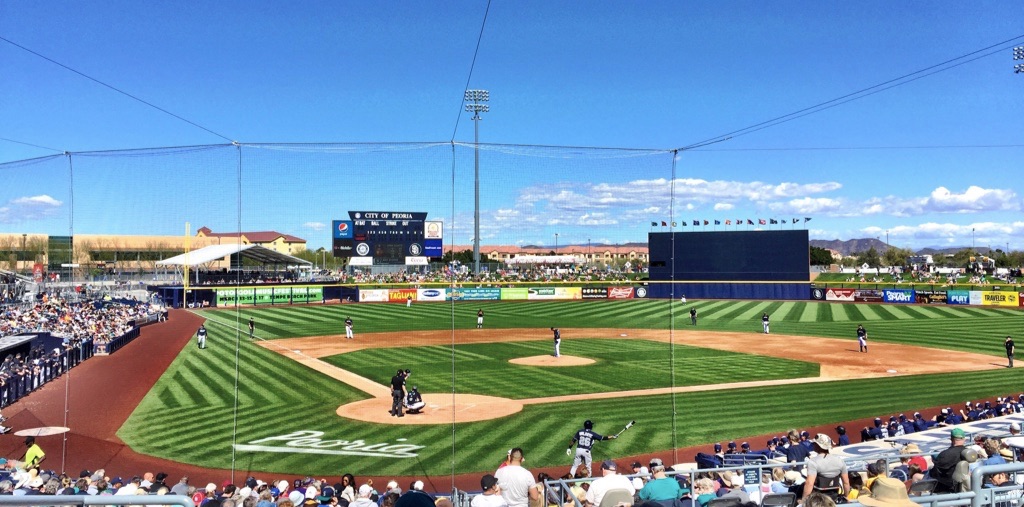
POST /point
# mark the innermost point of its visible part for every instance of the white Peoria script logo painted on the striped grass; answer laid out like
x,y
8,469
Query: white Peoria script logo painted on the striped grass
x,y
311,442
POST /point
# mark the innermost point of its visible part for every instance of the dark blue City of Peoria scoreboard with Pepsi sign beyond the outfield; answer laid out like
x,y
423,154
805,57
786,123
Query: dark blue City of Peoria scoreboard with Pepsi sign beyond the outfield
x,y
388,238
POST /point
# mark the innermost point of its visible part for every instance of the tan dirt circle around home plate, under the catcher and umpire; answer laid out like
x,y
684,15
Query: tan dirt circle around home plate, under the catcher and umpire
x,y
442,409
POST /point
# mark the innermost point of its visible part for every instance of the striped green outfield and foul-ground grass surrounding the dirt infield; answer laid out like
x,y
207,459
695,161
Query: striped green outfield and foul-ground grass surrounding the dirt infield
x,y
190,415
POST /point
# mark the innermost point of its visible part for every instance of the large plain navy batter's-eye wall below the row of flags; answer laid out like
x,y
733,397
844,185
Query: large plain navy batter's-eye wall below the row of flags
x,y
738,265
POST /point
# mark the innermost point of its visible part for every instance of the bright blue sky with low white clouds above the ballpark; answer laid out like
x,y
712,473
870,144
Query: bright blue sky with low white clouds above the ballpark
x,y
613,74
